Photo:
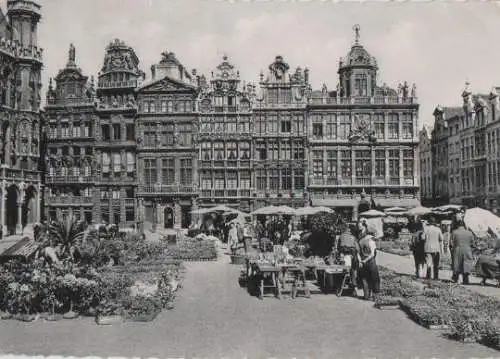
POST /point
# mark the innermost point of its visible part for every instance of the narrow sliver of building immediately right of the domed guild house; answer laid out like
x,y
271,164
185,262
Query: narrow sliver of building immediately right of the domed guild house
x,y
425,154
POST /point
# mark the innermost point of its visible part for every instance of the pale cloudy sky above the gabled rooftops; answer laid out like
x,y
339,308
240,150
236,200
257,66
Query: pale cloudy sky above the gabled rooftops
x,y
436,45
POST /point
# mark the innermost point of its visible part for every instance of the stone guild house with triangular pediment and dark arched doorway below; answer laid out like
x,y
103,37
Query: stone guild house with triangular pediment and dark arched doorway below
x,y
167,146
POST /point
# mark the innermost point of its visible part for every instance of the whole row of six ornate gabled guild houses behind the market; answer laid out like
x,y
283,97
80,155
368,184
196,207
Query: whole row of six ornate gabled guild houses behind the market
x,y
155,150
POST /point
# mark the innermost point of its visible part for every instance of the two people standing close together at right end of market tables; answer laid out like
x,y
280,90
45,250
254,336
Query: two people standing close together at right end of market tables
x,y
357,247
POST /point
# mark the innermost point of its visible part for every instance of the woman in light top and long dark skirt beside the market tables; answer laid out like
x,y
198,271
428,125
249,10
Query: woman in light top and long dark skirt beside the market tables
x,y
368,271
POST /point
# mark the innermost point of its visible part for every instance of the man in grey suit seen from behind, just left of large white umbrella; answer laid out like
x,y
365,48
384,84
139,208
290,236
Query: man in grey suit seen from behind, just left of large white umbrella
x,y
462,241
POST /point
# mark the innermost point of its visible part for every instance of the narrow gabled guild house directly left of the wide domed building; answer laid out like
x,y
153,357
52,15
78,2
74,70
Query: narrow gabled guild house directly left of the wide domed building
x,y
280,136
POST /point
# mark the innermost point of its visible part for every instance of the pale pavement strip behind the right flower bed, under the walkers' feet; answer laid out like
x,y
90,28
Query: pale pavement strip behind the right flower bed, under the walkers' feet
x,y
405,265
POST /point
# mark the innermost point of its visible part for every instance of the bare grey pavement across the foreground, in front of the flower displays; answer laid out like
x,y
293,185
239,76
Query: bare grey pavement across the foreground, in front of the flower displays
x,y
214,317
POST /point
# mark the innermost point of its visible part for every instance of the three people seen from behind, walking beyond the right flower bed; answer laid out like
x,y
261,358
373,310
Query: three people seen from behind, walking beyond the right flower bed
x,y
428,248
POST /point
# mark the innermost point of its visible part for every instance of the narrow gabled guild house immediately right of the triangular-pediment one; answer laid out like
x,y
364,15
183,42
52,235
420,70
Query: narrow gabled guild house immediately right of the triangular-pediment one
x,y
225,139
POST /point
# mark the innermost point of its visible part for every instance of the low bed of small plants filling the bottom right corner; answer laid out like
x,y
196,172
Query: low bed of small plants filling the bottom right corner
x,y
467,316
